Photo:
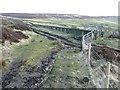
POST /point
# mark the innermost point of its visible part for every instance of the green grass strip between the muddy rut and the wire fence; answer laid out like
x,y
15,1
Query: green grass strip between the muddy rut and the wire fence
x,y
68,66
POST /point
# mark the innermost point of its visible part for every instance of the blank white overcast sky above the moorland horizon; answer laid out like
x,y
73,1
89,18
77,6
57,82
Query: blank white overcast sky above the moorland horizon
x,y
82,7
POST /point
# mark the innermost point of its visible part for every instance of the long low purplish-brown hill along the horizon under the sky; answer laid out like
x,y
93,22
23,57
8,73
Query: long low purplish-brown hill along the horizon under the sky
x,y
42,15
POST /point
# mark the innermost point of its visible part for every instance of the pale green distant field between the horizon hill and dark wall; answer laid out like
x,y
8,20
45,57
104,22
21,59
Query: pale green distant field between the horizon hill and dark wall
x,y
78,22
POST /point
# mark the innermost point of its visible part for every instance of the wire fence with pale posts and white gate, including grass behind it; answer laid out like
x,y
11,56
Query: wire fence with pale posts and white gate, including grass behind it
x,y
103,73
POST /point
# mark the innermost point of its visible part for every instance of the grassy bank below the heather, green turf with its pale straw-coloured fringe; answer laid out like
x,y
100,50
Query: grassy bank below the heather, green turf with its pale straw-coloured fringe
x,y
32,50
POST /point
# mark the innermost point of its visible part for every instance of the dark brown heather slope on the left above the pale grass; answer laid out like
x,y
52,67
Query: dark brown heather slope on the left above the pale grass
x,y
7,33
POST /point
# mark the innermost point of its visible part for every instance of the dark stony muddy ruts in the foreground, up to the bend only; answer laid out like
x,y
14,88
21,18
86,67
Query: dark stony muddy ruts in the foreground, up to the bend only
x,y
32,78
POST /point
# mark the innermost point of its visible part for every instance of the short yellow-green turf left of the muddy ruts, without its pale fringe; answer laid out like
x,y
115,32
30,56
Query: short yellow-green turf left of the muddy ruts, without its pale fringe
x,y
36,49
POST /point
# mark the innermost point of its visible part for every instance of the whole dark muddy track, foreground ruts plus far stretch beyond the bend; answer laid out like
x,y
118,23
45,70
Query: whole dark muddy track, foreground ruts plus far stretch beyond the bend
x,y
34,76
